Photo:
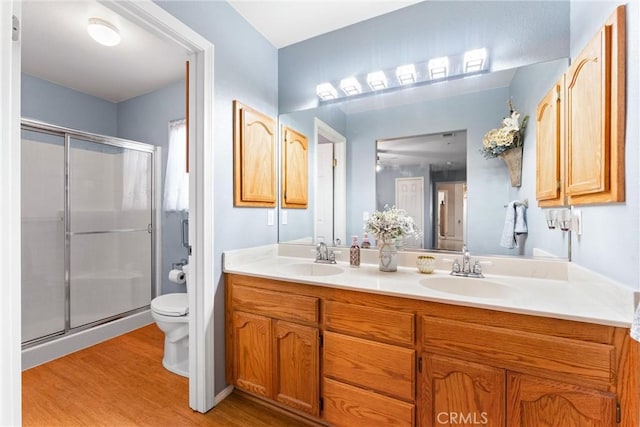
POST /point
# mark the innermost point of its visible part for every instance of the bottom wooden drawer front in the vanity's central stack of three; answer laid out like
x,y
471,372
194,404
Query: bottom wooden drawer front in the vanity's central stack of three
x,y
350,406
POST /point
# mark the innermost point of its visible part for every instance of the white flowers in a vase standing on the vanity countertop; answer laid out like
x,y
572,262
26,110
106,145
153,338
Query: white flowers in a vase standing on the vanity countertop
x,y
388,227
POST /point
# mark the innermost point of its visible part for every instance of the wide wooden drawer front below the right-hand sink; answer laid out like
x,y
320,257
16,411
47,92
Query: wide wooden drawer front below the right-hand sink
x,y
592,362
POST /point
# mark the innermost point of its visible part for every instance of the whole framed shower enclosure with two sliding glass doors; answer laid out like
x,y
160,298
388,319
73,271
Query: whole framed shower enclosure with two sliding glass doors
x,y
88,230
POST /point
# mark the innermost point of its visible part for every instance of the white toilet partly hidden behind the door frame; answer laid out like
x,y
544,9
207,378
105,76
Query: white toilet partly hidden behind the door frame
x,y
171,314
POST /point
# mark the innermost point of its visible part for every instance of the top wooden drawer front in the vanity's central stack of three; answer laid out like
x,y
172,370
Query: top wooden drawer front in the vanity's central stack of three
x,y
368,322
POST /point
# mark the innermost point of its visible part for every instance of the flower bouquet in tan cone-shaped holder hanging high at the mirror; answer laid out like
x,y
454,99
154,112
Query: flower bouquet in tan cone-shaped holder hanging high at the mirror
x,y
506,142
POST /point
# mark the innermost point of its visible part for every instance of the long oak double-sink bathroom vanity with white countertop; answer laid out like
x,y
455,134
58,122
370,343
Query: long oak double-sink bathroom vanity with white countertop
x,y
355,346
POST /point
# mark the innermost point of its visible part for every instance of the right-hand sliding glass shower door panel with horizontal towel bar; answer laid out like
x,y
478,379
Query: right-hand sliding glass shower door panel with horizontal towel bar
x,y
110,223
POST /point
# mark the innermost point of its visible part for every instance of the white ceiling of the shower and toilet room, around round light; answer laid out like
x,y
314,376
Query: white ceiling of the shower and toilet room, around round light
x,y
56,47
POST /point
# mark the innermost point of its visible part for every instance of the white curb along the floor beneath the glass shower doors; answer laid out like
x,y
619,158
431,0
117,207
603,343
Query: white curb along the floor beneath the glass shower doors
x,y
45,352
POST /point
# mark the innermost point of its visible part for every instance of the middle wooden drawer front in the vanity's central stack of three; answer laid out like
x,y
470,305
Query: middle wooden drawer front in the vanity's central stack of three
x,y
381,367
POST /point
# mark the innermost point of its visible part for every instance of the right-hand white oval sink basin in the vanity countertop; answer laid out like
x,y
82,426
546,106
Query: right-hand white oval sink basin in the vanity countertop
x,y
470,287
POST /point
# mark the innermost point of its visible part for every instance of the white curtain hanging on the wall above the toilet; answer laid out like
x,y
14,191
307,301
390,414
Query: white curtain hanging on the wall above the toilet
x,y
176,184
